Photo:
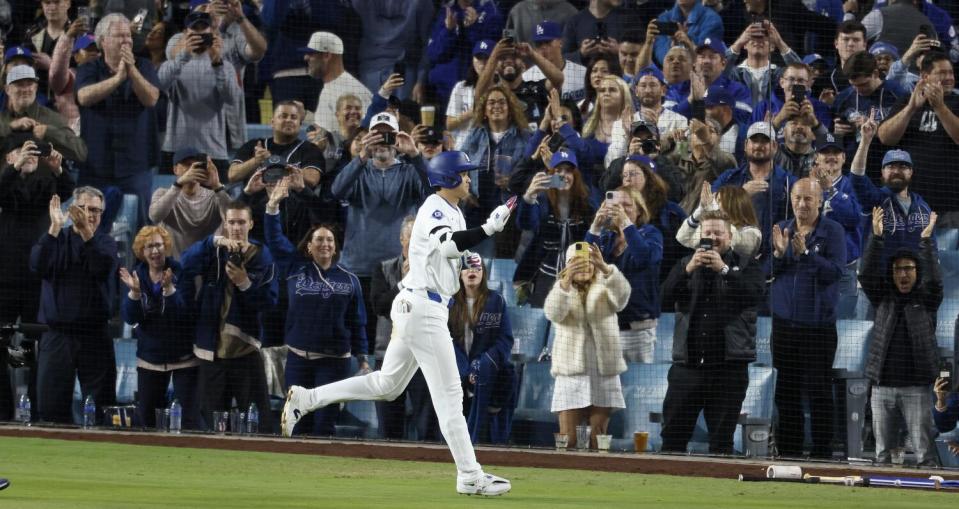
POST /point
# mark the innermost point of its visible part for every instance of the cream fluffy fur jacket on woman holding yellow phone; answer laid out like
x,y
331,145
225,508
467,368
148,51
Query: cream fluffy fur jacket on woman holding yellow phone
x,y
574,319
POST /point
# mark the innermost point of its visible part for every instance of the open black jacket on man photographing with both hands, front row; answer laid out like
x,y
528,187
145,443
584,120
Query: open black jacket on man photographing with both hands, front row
x,y
738,293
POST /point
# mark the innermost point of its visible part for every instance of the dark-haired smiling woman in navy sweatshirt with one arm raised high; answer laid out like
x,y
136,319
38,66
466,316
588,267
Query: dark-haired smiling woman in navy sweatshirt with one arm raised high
x,y
326,318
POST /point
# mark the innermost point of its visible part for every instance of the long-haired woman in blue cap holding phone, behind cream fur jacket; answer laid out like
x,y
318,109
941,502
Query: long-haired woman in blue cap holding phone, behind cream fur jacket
x,y
556,209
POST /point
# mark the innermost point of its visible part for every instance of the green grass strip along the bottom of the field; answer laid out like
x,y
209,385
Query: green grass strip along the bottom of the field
x,y
65,474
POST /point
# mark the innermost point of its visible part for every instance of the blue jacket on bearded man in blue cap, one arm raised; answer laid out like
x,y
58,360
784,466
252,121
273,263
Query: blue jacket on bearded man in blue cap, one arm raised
x,y
901,228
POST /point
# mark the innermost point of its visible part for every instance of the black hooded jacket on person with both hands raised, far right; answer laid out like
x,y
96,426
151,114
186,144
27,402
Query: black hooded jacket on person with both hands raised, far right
x,y
921,305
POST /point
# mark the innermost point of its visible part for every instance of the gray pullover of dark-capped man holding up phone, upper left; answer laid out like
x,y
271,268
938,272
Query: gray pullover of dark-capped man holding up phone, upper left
x,y
199,97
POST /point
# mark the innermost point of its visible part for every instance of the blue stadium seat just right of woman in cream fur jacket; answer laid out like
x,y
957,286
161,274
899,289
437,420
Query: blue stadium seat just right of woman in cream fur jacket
x,y
644,389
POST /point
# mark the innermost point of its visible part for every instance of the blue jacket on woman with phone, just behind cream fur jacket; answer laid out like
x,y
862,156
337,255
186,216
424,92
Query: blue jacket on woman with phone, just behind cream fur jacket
x,y
640,263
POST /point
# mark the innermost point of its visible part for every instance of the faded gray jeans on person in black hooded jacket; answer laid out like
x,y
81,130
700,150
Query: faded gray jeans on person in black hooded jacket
x,y
912,405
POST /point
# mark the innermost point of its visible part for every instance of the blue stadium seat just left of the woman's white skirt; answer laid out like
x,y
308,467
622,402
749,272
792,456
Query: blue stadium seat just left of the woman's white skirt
x,y
533,423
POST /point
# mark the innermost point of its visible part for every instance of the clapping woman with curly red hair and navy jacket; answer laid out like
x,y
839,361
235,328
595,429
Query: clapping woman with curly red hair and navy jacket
x,y
160,305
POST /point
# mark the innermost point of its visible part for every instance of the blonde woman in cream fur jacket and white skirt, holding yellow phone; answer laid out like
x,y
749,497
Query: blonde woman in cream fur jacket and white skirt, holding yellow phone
x,y
587,353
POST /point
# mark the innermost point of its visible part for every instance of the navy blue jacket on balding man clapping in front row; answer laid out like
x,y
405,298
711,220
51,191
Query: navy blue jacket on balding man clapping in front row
x,y
805,290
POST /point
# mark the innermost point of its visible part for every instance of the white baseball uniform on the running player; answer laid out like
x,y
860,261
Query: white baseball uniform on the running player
x,y
421,336
